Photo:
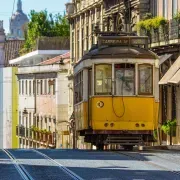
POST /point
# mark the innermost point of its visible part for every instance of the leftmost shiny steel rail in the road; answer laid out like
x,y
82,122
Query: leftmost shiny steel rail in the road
x,y
21,170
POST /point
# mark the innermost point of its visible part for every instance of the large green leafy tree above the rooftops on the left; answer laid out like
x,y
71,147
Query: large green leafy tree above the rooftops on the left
x,y
44,24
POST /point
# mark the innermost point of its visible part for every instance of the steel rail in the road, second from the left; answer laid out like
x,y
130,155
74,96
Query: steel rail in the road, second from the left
x,y
63,168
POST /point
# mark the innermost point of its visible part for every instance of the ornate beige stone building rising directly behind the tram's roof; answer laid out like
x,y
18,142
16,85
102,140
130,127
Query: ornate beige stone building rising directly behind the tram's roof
x,y
114,15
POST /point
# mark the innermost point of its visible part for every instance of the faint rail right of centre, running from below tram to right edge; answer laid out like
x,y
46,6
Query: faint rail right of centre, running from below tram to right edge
x,y
149,163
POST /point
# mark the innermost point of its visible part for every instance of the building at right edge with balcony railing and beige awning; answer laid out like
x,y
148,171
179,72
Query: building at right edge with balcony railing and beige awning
x,y
166,43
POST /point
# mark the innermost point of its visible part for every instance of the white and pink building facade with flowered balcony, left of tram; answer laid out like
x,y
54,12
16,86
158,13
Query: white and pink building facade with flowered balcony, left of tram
x,y
43,106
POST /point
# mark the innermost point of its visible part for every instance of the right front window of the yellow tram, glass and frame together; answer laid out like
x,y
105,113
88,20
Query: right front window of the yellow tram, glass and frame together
x,y
145,79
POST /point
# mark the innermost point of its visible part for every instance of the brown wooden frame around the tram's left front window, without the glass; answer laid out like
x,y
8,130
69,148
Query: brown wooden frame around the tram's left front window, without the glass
x,y
103,94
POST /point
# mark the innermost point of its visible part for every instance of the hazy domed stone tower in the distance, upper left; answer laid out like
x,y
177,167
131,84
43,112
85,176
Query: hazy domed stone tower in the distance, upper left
x,y
17,23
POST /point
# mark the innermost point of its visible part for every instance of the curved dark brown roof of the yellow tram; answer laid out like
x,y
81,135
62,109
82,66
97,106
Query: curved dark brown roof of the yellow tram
x,y
119,52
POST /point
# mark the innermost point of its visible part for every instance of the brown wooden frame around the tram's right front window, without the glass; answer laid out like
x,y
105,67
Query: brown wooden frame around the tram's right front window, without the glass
x,y
152,84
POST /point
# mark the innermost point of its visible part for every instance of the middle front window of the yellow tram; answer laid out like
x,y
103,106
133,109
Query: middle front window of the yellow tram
x,y
124,79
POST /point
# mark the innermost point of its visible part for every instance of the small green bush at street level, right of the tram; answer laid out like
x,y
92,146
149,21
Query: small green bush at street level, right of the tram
x,y
168,126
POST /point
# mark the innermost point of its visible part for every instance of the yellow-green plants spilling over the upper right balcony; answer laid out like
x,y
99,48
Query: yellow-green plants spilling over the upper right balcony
x,y
153,23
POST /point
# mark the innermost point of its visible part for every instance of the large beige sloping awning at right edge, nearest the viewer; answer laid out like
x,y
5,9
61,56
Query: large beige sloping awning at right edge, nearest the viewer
x,y
173,74
